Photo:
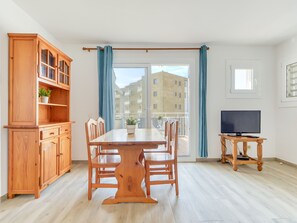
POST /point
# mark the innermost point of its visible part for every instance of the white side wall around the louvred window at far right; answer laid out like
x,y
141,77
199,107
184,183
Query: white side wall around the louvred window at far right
x,y
286,124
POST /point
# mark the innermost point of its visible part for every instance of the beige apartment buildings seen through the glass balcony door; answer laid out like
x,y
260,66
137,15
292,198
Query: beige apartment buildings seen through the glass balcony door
x,y
168,94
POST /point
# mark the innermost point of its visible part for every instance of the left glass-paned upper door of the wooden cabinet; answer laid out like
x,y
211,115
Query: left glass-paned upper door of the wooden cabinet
x,y
48,63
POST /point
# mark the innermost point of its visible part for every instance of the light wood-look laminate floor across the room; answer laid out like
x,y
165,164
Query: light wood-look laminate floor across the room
x,y
209,192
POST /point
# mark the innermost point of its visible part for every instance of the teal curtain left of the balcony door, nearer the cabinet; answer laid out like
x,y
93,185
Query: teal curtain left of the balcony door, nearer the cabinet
x,y
105,78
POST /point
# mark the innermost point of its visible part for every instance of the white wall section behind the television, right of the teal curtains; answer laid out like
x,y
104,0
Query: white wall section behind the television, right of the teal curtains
x,y
217,101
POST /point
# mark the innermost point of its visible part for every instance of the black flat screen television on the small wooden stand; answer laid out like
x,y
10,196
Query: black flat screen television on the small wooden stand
x,y
238,122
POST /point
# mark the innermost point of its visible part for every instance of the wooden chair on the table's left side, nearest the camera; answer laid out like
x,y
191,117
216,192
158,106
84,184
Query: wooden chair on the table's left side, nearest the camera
x,y
98,161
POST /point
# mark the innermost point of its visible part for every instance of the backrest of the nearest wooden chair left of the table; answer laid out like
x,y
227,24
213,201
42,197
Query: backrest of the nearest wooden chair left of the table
x,y
92,132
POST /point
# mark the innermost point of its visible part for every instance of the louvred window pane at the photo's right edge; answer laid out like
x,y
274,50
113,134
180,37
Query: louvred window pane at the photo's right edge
x,y
291,82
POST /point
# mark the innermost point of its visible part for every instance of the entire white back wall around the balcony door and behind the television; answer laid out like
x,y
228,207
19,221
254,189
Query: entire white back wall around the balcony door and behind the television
x,y
84,86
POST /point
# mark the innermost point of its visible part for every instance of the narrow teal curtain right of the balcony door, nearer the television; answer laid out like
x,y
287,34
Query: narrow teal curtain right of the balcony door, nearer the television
x,y
202,102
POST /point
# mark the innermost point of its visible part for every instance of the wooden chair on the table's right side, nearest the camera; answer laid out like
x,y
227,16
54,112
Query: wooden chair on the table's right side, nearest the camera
x,y
154,160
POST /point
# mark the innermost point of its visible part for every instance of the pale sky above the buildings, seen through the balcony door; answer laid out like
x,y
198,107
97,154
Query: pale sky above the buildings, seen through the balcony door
x,y
125,76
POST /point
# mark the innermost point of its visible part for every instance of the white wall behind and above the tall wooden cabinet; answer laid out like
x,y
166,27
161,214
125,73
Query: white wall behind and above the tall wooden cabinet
x,y
12,19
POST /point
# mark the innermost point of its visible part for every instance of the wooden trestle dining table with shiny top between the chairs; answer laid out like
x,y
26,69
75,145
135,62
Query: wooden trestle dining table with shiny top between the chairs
x,y
130,172
